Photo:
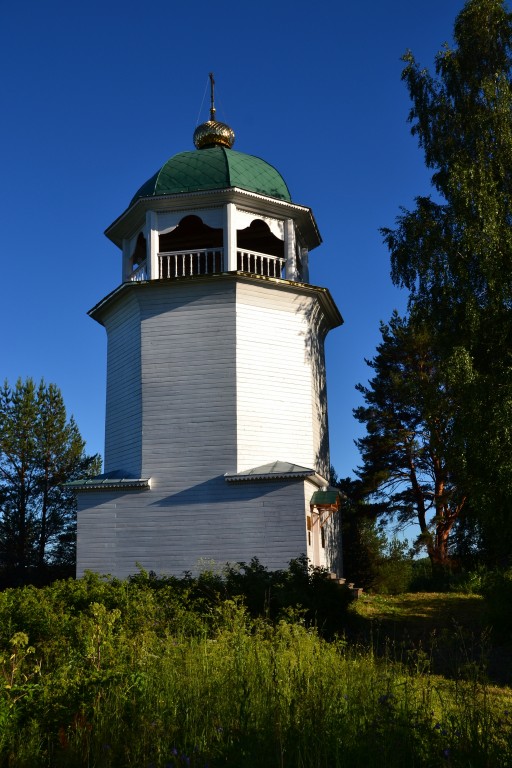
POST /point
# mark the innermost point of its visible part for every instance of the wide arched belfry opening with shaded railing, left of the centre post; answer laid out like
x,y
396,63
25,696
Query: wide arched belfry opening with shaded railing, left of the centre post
x,y
191,248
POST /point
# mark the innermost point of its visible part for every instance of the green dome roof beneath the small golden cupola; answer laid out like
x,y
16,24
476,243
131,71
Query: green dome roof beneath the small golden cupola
x,y
215,168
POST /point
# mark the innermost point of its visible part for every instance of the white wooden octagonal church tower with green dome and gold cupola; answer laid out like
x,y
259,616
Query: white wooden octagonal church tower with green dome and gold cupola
x,y
216,441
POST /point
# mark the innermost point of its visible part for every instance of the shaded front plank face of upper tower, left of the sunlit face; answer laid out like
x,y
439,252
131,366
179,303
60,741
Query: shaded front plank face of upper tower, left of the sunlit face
x,y
188,382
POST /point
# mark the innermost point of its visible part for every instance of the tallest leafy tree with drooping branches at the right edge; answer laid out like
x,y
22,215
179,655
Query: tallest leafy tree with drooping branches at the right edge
x,y
454,253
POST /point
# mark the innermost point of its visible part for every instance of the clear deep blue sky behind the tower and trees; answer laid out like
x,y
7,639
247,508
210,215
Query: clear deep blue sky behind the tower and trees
x,y
97,96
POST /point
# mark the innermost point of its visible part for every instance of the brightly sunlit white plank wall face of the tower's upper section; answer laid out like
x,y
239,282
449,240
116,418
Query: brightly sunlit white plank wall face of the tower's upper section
x,y
278,374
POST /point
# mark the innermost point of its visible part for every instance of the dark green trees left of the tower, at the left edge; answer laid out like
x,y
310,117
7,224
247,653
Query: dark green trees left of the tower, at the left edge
x,y
40,449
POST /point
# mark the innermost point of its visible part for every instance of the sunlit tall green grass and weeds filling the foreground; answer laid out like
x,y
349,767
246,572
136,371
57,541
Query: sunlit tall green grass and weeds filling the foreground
x,y
120,676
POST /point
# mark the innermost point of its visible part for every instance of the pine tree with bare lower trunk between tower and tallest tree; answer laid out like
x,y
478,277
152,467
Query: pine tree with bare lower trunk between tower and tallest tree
x,y
408,414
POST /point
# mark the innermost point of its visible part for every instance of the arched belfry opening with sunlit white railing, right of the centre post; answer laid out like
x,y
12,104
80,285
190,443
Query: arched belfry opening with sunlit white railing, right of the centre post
x,y
259,251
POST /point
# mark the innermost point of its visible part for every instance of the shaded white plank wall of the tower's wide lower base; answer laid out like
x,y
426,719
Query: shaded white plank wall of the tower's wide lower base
x,y
161,533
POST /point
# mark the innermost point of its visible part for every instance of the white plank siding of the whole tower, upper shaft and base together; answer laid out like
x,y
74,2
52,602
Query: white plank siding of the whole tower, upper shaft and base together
x,y
205,376
